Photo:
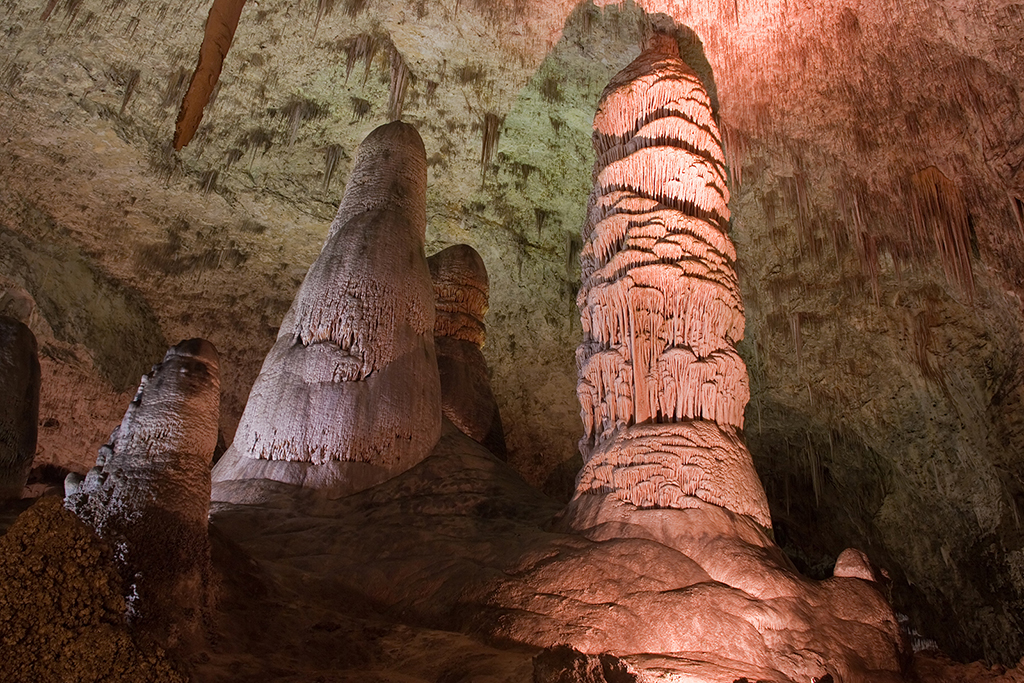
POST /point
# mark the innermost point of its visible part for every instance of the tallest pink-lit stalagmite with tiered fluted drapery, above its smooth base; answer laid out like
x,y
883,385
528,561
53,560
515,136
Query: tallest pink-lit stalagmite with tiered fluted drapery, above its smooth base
x,y
662,390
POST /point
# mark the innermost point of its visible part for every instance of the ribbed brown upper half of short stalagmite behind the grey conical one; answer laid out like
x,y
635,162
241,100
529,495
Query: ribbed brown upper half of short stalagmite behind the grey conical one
x,y
461,292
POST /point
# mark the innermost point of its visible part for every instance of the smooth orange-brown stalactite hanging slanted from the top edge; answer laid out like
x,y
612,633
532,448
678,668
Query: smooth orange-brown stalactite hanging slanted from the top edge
x,y
221,26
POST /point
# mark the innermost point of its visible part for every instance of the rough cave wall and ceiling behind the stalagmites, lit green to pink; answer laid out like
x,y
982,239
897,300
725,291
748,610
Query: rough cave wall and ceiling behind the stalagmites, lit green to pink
x,y
877,162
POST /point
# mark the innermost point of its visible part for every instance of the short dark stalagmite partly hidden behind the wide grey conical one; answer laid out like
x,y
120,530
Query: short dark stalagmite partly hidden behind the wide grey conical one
x,y
461,302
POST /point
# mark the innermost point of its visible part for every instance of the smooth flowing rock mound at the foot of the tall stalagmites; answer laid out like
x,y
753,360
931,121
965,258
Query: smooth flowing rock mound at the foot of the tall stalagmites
x,y
461,544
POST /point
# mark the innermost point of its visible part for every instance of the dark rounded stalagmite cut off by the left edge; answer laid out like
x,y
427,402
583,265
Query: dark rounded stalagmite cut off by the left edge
x,y
20,406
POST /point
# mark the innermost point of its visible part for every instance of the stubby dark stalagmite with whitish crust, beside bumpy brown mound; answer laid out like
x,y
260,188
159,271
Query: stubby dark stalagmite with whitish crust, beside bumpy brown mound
x,y
149,495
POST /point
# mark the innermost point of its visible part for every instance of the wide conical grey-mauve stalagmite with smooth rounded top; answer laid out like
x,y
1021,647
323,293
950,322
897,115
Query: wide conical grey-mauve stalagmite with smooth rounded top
x,y
350,395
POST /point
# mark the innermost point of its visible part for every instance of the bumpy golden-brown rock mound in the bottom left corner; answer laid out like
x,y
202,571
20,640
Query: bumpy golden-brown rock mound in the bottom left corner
x,y
62,611
